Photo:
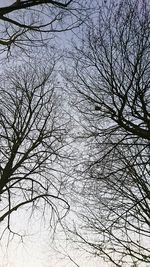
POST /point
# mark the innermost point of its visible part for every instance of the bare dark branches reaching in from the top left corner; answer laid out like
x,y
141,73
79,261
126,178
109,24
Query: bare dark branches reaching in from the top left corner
x,y
28,23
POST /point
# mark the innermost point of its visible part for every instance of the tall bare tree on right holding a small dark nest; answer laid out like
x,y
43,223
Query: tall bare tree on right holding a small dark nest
x,y
111,80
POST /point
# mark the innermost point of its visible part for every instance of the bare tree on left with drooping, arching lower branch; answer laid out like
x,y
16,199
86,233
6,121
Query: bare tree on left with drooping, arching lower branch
x,y
33,140
